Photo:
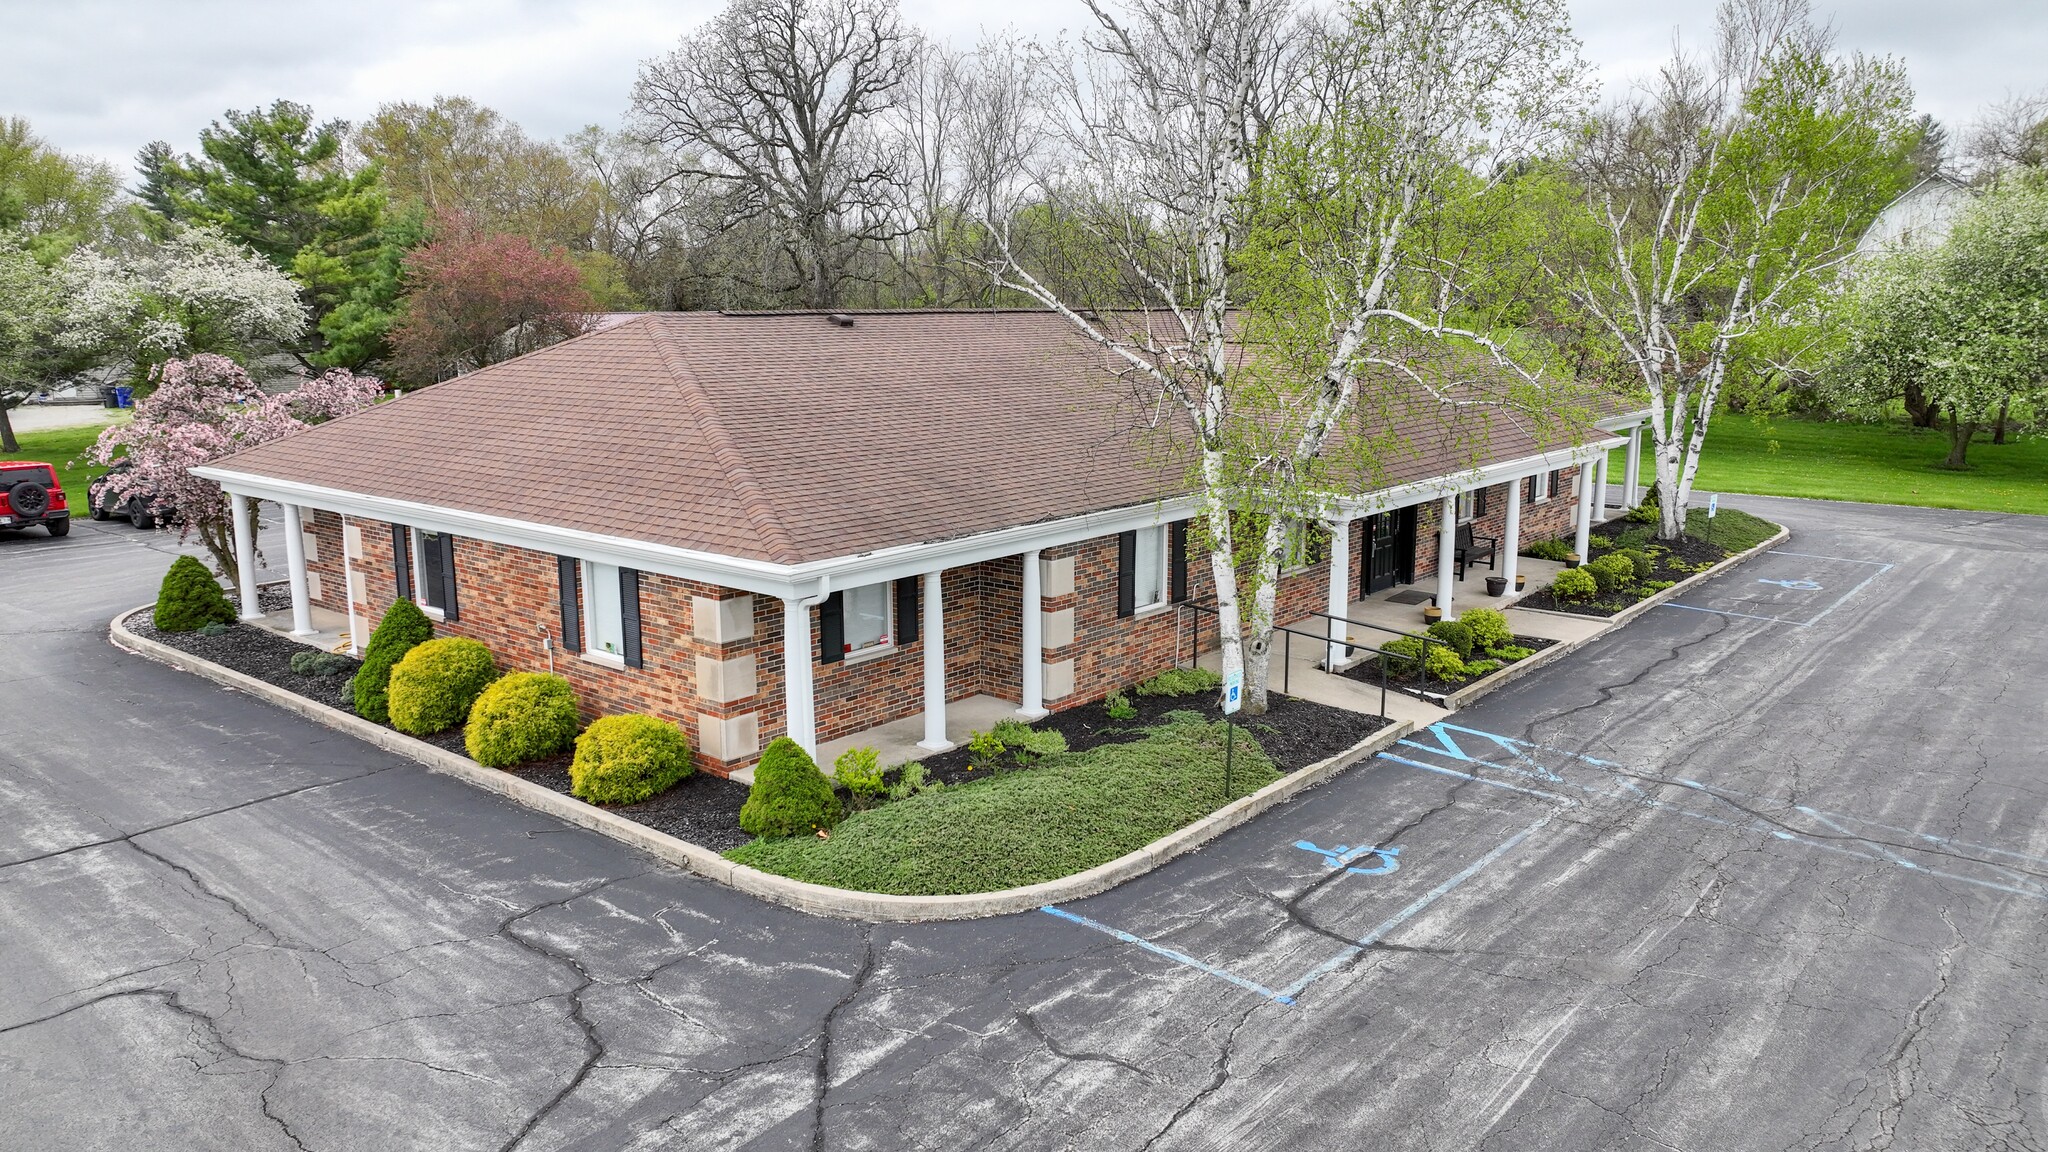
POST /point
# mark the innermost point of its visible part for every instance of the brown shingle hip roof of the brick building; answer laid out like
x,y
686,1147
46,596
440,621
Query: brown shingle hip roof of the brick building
x,y
785,438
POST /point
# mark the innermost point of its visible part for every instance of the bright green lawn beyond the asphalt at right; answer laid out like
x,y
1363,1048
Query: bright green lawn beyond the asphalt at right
x,y
1879,464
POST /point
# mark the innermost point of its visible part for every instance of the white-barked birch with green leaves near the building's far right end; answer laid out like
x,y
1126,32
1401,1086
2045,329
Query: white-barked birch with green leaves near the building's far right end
x,y
1723,194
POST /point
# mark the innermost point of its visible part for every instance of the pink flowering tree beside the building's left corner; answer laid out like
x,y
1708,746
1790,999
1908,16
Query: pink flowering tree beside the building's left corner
x,y
206,409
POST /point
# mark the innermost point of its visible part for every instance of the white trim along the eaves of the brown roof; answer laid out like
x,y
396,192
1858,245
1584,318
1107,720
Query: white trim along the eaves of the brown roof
x,y
818,577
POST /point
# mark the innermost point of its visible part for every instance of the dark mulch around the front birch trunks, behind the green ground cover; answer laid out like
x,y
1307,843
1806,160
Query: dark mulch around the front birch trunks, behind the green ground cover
x,y
1295,733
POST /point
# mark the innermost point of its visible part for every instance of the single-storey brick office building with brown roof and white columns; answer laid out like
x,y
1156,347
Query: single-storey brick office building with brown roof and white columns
x,y
812,526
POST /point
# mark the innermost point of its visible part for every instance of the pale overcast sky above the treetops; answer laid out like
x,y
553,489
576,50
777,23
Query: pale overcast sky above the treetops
x,y
108,77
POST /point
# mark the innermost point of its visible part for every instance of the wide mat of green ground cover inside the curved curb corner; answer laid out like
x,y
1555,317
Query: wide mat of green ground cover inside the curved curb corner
x,y
1068,815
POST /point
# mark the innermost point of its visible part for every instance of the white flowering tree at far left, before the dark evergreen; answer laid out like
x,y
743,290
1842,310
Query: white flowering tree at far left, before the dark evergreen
x,y
196,292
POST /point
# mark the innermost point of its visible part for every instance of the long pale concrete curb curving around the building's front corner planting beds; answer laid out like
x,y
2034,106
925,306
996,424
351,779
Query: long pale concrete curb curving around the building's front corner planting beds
x,y
814,899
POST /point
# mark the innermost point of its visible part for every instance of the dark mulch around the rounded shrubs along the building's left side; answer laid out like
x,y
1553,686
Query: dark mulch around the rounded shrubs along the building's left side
x,y
703,809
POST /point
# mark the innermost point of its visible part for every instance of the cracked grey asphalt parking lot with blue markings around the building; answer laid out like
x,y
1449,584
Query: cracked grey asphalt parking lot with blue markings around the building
x,y
1766,872
